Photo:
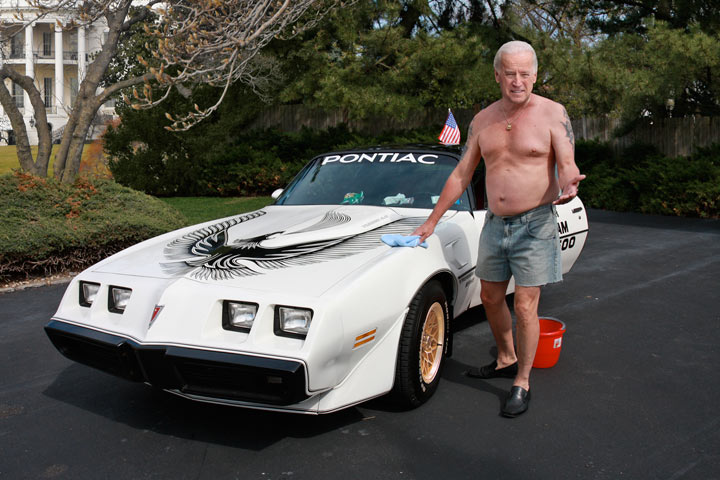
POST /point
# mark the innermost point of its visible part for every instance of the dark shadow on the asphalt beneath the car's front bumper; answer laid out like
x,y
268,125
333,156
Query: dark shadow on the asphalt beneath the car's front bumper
x,y
145,408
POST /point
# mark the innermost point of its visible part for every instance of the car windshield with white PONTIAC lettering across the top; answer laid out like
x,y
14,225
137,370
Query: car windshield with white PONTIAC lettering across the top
x,y
379,178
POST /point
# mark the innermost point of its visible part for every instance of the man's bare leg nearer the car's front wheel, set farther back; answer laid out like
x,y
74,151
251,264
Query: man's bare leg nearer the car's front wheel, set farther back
x,y
492,295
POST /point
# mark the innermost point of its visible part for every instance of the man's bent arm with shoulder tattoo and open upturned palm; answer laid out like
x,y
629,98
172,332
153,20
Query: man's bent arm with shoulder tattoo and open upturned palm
x,y
563,141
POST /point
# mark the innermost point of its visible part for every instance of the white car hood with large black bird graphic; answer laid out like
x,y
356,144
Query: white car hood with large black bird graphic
x,y
306,249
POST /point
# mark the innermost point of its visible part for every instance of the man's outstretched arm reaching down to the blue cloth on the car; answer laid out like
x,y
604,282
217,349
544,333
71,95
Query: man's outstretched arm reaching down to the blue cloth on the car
x,y
455,185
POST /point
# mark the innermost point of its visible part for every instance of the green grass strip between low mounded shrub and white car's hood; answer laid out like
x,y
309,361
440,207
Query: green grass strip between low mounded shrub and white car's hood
x,y
202,209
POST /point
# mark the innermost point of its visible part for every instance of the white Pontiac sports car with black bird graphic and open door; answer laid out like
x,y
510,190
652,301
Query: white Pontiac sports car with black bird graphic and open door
x,y
299,306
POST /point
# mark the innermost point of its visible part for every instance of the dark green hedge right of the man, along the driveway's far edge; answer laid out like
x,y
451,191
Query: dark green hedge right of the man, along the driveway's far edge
x,y
642,180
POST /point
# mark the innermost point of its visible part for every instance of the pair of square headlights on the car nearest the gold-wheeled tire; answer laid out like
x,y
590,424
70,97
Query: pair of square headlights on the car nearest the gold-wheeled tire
x,y
289,321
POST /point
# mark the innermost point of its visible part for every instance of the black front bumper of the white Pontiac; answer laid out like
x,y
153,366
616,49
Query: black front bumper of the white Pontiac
x,y
203,373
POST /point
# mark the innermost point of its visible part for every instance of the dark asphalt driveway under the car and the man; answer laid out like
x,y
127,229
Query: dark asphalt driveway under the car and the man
x,y
633,396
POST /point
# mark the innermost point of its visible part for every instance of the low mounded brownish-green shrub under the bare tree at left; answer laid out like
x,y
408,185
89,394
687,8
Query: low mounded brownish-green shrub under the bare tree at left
x,y
48,227
